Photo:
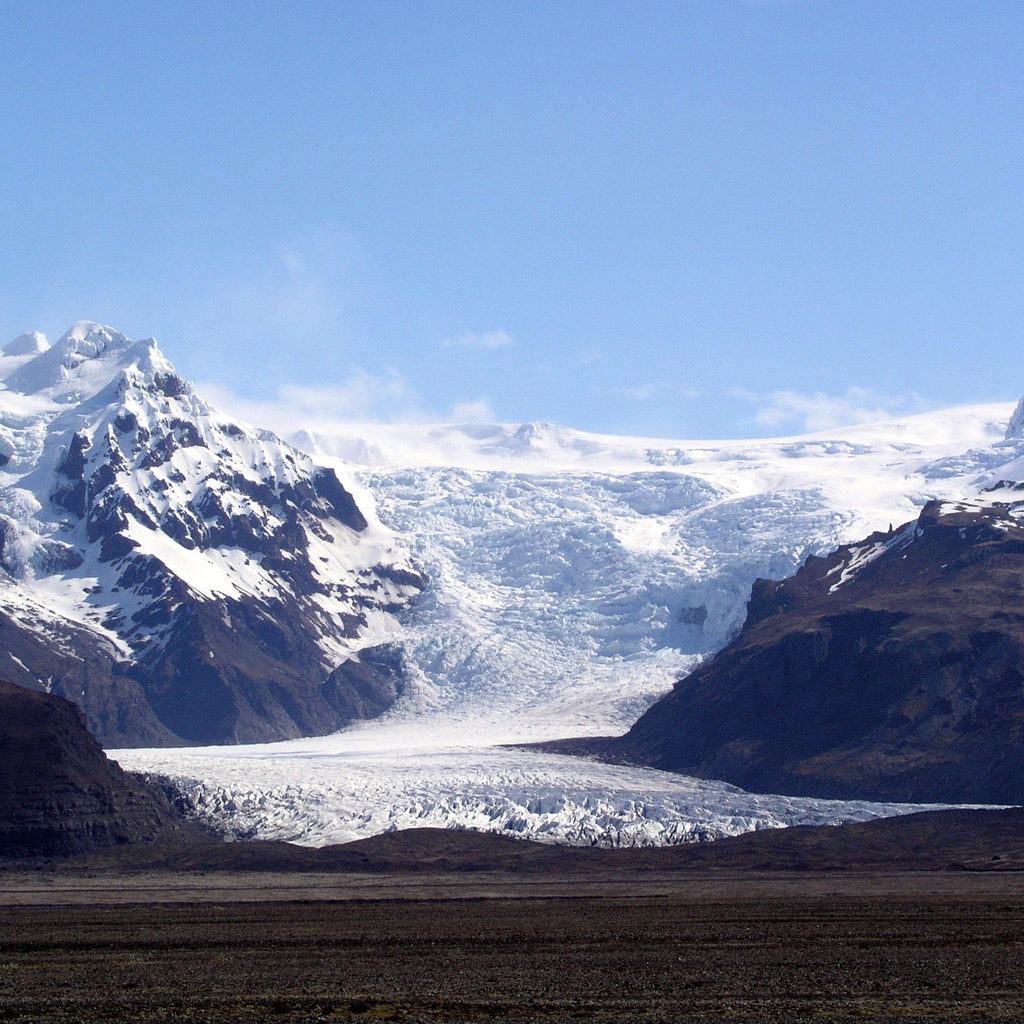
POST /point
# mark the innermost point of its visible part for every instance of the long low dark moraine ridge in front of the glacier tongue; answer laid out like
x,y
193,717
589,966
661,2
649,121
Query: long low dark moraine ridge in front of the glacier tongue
x,y
991,841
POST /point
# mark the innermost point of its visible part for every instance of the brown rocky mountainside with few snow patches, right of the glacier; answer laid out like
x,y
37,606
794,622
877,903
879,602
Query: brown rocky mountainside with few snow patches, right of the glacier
x,y
889,670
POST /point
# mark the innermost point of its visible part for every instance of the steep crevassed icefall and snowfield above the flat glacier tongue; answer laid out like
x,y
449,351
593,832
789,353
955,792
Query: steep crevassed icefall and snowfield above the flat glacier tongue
x,y
574,577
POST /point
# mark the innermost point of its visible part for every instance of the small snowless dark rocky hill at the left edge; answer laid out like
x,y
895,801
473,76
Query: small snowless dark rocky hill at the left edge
x,y
61,796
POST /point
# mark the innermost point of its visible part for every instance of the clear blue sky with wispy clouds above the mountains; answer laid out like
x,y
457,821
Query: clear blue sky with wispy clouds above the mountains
x,y
706,220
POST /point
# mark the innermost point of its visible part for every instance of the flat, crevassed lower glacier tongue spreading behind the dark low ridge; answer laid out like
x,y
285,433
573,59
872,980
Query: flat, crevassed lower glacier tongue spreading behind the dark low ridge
x,y
320,792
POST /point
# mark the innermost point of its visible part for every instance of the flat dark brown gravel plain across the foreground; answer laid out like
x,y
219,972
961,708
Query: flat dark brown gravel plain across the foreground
x,y
216,949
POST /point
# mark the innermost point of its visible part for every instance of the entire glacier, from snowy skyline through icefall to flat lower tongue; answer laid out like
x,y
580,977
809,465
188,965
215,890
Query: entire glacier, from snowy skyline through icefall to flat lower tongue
x,y
572,579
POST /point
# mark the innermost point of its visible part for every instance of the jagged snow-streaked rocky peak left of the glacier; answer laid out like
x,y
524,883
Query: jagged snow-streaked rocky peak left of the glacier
x,y
180,575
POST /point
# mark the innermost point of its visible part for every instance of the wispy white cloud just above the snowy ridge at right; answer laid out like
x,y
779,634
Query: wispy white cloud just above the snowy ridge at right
x,y
793,411
